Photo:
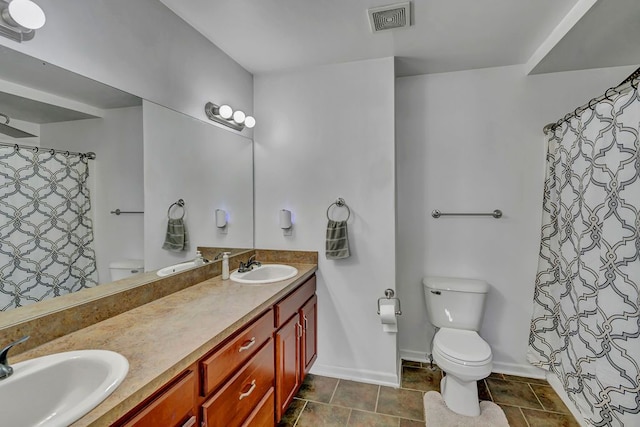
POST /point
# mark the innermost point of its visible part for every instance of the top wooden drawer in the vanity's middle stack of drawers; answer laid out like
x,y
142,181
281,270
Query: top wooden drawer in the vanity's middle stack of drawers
x,y
217,367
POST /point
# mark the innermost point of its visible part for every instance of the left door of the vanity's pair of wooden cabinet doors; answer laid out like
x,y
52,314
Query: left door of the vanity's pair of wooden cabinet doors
x,y
288,363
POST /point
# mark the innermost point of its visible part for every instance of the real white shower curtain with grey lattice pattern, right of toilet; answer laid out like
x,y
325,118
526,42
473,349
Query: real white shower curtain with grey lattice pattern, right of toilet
x,y
586,324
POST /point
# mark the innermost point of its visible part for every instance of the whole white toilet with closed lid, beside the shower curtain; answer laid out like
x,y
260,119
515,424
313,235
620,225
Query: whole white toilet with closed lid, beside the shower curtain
x,y
456,306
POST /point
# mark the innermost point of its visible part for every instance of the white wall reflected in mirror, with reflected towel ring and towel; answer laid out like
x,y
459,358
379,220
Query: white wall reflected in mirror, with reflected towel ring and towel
x,y
209,168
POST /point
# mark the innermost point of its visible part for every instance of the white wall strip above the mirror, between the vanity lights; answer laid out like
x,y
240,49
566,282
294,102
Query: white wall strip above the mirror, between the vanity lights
x,y
140,47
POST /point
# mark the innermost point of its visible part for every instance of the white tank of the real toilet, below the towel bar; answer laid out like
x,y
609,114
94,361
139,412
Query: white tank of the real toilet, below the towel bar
x,y
455,303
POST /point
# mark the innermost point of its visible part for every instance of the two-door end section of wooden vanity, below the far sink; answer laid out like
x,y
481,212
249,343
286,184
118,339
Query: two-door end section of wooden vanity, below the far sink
x,y
296,344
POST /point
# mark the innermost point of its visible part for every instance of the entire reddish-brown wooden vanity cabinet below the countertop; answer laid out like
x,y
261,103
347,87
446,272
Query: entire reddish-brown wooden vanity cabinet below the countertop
x,y
248,380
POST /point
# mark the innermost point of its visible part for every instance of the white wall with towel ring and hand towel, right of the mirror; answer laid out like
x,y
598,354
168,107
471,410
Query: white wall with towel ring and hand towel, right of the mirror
x,y
328,132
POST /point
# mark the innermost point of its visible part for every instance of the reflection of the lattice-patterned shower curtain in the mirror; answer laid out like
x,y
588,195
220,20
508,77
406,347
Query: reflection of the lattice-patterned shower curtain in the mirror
x,y
46,233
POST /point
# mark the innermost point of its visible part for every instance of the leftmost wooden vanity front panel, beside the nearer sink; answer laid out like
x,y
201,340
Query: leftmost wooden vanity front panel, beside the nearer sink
x,y
171,408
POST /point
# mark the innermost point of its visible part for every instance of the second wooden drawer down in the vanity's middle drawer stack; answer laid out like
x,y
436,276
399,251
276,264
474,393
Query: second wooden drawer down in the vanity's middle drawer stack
x,y
233,403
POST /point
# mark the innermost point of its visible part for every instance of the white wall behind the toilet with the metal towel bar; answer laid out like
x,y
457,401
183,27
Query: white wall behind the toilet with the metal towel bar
x,y
472,141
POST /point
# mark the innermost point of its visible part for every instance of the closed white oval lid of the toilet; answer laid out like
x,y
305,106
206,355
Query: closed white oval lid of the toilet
x,y
462,345
